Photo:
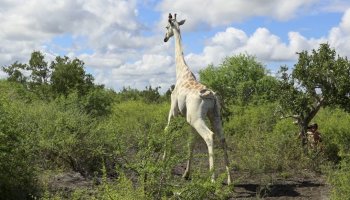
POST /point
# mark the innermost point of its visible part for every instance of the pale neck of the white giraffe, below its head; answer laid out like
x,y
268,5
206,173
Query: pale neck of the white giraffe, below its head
x,y
181,66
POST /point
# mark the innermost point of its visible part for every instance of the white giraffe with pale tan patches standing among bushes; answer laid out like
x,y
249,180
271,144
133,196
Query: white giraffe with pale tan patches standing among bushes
x,y
195,101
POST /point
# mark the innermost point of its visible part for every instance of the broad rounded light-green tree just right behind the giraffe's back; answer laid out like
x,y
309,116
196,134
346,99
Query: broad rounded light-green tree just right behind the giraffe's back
x,y
240,80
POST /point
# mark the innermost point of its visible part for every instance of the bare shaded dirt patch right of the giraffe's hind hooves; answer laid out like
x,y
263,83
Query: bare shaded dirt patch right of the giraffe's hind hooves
x,y
310,186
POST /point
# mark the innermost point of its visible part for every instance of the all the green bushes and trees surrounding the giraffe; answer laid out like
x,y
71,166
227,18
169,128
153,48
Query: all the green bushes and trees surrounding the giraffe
x,y
54,120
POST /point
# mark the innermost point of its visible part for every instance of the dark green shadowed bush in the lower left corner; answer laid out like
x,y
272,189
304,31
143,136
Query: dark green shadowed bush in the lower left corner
x,y
17,172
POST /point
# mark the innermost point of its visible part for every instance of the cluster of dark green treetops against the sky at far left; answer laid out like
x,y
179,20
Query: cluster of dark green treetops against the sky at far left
x,y
63,76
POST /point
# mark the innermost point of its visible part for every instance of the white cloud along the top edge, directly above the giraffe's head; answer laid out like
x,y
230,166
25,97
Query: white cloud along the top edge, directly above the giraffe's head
x,y
223,12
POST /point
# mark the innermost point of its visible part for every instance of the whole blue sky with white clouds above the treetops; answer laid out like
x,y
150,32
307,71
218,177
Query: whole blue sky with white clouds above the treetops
x,y
121,41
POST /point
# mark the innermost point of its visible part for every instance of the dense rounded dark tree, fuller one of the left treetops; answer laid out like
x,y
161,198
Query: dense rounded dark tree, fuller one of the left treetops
x,y
69,75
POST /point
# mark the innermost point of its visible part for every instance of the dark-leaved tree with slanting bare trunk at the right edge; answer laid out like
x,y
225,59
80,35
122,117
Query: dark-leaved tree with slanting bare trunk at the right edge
x,y
319,79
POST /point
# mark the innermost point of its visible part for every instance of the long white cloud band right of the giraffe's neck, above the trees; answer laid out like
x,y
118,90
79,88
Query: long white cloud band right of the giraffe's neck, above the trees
x,y
268,47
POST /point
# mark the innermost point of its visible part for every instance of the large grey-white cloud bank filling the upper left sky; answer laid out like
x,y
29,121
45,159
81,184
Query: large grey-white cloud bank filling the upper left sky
x,y
108,26
